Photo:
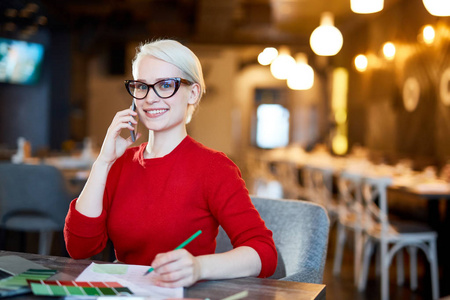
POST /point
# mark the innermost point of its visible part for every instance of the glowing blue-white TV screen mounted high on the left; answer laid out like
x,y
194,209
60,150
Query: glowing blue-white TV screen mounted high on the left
x,y
20,61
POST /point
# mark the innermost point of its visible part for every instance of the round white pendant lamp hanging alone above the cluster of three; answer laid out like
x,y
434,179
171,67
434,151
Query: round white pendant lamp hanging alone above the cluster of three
x,y
326,40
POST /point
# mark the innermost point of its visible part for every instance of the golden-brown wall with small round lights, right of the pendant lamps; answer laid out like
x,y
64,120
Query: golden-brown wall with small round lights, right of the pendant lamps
x,y
377,115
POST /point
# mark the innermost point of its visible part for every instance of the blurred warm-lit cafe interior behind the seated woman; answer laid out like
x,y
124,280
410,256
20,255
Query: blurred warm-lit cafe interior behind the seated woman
x,y
293,105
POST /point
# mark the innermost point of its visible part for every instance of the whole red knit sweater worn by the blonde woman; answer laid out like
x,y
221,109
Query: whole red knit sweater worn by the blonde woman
x,y
151,206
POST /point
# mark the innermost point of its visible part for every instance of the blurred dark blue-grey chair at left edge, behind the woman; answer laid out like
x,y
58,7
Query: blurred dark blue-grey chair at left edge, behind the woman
x,y
33,198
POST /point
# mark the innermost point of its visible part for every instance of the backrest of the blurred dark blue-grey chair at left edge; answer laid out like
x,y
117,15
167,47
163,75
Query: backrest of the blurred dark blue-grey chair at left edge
x,y
33,190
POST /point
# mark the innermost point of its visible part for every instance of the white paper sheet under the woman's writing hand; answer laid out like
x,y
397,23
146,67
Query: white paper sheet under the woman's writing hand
x,y
131,276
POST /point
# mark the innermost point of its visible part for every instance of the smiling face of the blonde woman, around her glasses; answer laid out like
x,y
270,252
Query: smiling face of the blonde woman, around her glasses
x,y
159,114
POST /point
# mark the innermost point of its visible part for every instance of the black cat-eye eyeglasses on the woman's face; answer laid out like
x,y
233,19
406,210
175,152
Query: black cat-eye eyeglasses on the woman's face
x,y
165,88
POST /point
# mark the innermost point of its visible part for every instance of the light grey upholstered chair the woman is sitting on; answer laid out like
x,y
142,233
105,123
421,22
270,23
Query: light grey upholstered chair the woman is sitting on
x,y
300,231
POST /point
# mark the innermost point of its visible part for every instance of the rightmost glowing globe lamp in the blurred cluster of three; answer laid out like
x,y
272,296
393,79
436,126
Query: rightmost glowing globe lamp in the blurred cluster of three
x,y
302,75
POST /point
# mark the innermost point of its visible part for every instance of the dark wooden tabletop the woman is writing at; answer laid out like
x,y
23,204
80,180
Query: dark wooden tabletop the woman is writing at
x,y
261,289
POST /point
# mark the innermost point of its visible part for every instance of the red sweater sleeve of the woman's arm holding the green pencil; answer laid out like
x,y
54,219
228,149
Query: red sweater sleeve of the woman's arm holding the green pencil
x,y
230,203
